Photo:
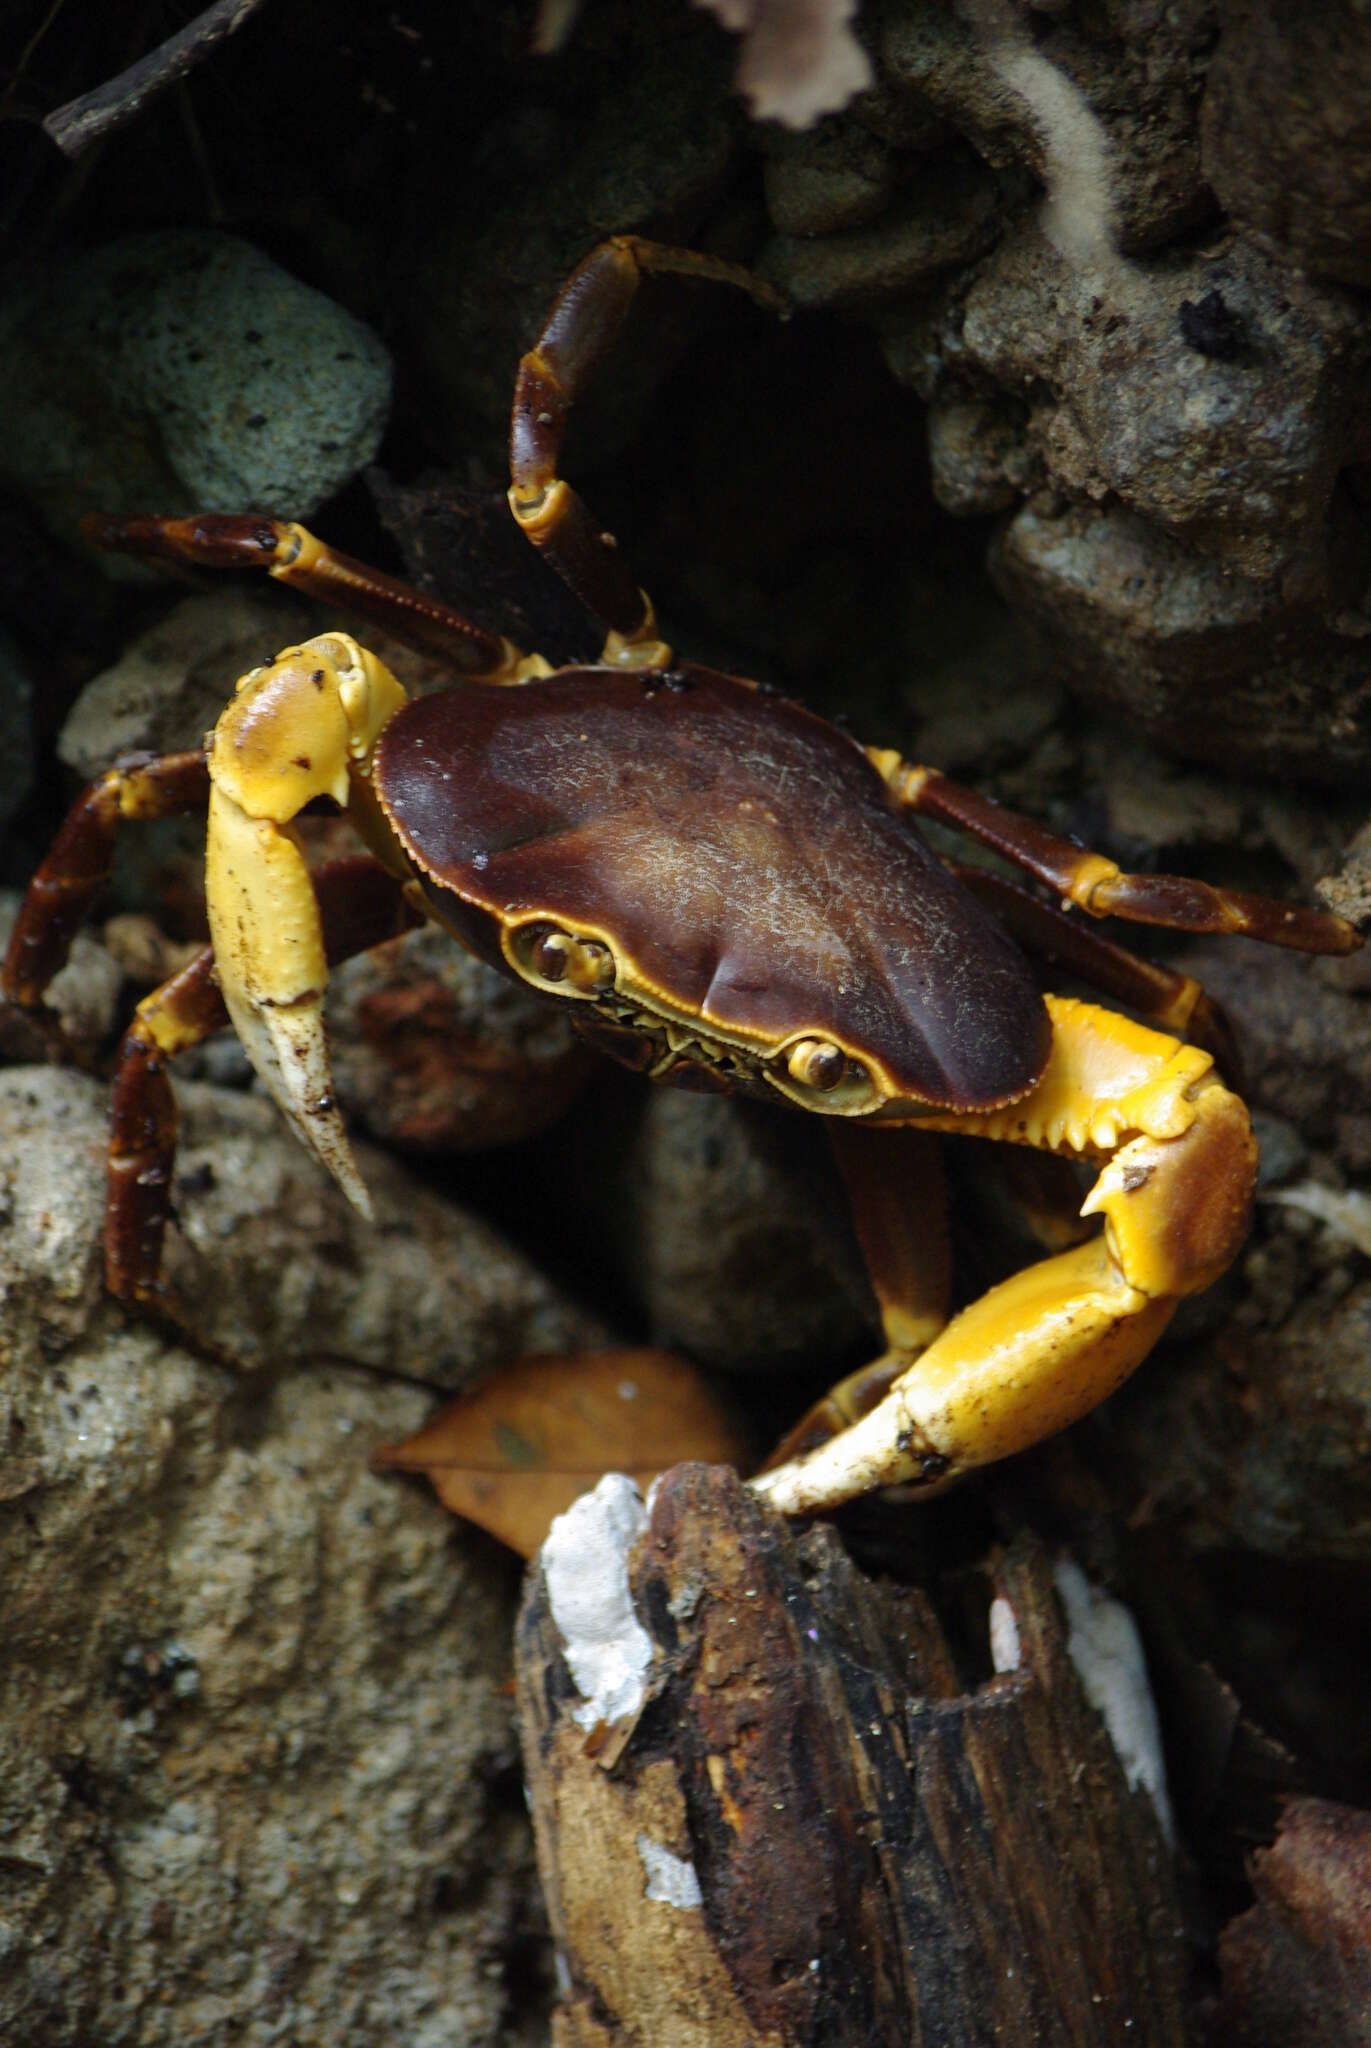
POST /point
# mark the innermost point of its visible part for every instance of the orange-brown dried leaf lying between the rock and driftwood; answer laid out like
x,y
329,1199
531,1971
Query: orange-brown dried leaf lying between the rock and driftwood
x,y
528,1443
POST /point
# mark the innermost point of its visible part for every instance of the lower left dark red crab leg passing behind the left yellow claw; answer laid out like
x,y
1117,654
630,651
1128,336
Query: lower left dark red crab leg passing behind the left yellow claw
x,y
362,906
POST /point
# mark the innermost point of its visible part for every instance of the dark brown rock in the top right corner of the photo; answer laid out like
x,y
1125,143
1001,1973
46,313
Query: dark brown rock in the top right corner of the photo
x,y
1288,132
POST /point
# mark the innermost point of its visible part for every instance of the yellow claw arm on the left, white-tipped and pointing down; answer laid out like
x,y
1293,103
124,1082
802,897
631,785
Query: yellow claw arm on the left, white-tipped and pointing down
x,y
300,728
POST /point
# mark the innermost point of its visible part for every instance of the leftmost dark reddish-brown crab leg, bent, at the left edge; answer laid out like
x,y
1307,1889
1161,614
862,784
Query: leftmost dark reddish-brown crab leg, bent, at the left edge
x,y
83,857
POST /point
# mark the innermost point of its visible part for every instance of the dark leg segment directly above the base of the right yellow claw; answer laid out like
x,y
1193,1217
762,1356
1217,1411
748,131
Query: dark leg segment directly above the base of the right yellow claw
x,y
1169,1000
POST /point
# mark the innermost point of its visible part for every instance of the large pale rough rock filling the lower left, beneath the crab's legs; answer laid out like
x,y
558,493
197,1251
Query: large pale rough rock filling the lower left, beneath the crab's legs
x,y
259,1779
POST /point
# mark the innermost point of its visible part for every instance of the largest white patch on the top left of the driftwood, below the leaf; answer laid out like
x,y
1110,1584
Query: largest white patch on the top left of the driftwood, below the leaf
x,y
587,1574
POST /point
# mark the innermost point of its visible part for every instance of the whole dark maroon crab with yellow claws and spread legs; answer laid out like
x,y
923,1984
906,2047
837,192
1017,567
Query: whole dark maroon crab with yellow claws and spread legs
x,y
726,892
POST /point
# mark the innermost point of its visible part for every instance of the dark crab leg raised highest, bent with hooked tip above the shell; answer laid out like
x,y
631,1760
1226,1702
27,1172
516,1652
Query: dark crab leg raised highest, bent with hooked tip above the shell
x,y
577,337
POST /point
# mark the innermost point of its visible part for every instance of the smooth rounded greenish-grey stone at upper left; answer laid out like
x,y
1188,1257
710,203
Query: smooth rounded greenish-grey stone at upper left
x,y
183,372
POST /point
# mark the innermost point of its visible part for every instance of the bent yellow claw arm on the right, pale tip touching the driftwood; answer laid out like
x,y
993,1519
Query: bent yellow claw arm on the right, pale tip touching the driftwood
x,y
1046,1347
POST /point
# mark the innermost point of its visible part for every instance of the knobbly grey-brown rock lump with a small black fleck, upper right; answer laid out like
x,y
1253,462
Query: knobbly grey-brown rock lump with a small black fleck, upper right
x,y
1233,454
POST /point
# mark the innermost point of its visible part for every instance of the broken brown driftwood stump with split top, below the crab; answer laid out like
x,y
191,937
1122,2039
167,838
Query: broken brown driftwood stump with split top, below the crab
x,y
804,1830
